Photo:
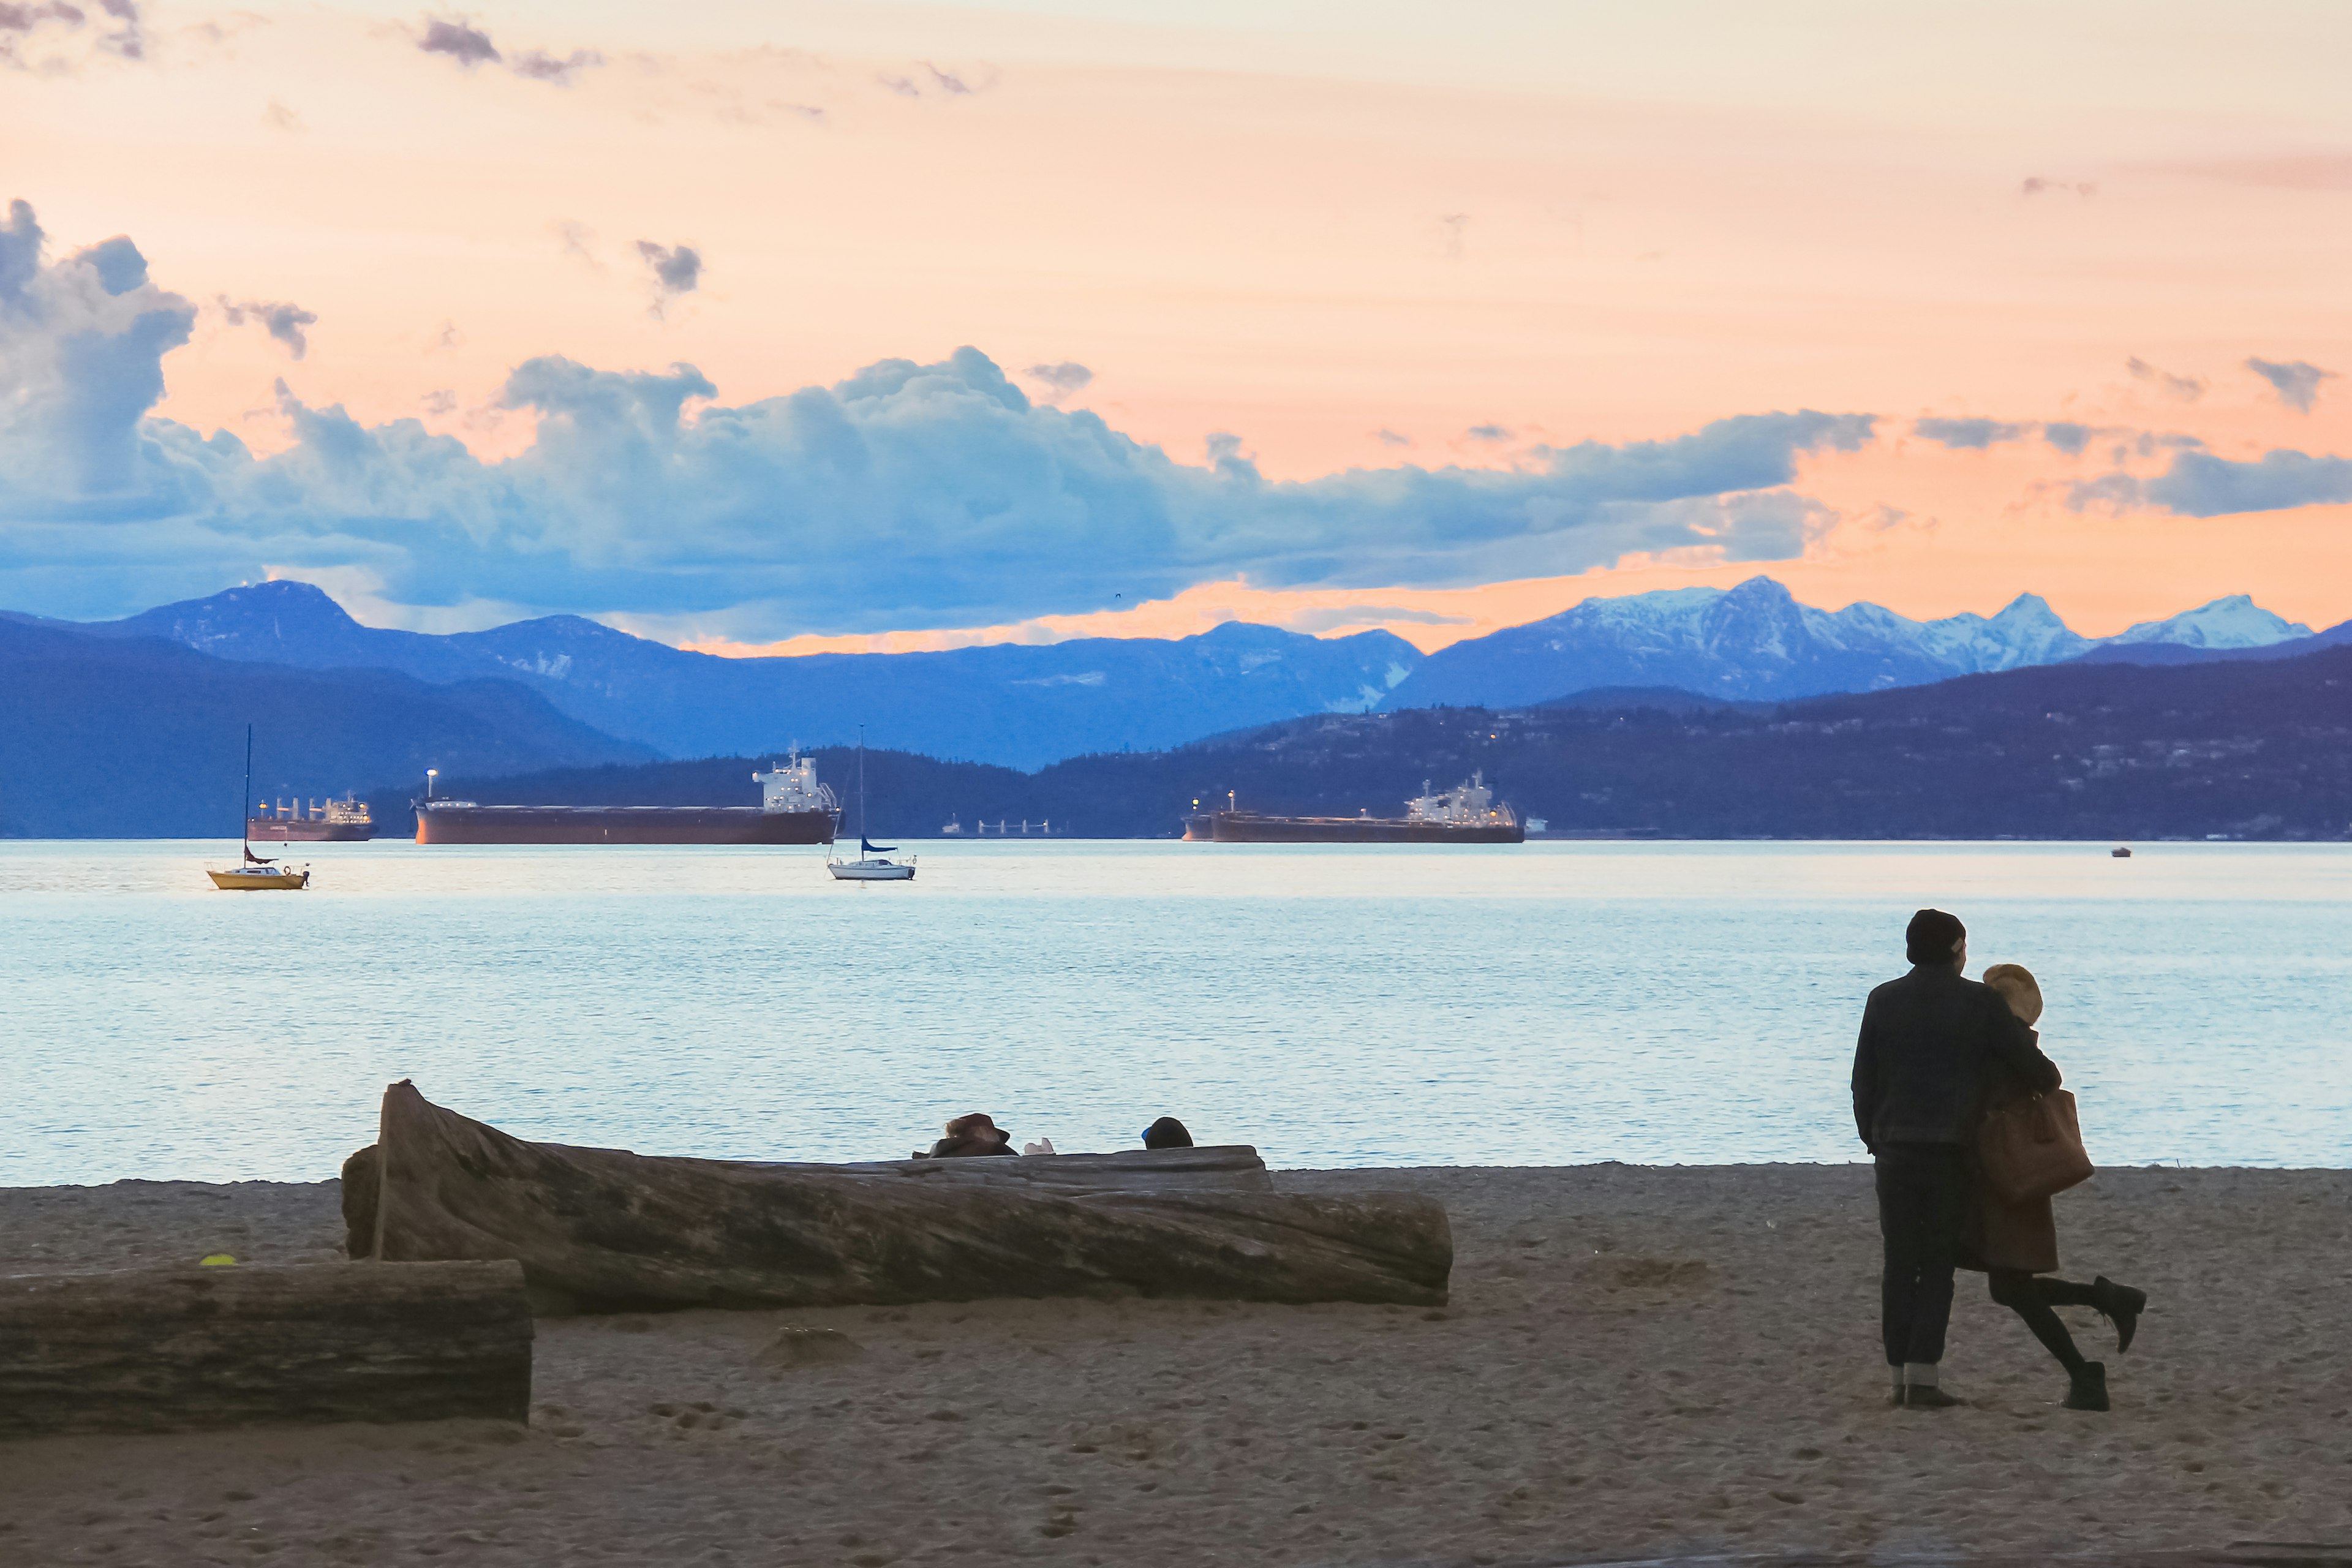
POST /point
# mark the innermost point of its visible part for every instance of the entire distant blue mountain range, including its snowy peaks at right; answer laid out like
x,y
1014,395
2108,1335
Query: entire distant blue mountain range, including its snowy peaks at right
x,y
1034,704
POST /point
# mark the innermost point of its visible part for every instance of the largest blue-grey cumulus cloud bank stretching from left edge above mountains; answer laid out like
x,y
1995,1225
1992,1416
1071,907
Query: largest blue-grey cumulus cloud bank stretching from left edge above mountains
x,y
902,495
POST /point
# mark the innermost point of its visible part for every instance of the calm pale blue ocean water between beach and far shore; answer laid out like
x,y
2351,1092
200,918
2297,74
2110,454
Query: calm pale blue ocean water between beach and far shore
x,y
1337,1007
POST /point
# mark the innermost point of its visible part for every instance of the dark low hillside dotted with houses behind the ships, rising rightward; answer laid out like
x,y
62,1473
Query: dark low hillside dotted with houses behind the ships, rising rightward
x,y
2078,751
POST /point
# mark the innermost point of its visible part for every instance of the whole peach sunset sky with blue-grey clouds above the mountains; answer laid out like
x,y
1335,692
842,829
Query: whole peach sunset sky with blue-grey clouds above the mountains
x,y
789,328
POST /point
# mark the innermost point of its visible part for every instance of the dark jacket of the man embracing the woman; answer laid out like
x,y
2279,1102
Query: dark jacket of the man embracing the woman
x,y
1930,1050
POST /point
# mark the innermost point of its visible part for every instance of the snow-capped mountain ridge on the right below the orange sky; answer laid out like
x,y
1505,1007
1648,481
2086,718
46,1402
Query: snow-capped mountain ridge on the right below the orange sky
x,y
1756,643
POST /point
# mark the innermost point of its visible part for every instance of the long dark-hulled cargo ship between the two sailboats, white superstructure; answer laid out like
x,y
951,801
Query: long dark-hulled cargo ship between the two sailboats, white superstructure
x,y
794,810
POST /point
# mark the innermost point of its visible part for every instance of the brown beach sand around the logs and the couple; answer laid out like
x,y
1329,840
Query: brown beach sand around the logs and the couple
x,y
1636,1362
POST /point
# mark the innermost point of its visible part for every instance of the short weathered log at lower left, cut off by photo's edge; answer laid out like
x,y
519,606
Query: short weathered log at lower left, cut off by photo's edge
x,y
171,1351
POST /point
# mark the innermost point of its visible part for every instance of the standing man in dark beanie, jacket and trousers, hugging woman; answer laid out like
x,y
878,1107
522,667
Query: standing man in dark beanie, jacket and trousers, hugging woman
x,y
1920,1073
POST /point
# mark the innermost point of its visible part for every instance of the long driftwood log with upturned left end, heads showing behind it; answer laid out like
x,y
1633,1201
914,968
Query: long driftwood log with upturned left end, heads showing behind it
x,y
606,1231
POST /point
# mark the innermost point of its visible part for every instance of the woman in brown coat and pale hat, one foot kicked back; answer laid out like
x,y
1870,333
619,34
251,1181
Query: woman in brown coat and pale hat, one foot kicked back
x,y
2017,1245
